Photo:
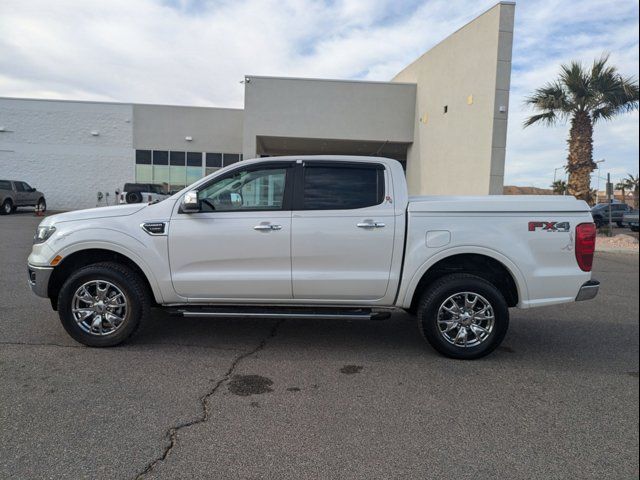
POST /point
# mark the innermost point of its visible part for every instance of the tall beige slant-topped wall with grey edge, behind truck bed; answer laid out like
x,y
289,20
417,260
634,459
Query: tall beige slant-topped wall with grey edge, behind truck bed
x,y
462,151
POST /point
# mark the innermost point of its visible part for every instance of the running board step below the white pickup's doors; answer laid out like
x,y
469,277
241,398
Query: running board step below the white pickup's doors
x,y
319,313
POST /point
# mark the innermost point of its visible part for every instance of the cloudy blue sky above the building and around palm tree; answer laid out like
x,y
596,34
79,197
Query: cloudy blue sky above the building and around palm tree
x,y
196,52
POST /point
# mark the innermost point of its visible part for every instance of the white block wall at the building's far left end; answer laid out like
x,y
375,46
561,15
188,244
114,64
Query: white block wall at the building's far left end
x,y
49,145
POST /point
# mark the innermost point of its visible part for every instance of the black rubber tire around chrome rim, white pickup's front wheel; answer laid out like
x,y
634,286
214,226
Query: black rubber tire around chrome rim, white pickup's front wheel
x,y
127,281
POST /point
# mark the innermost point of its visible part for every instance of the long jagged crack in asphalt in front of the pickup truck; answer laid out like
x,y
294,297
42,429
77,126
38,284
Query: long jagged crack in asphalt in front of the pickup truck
x,y
172,433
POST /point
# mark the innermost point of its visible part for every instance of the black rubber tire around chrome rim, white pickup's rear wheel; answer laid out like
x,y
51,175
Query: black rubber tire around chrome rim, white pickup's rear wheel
x,y
447,286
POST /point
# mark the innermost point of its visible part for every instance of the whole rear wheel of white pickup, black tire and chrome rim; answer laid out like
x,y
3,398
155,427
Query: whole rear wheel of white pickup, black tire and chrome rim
x,y
463,316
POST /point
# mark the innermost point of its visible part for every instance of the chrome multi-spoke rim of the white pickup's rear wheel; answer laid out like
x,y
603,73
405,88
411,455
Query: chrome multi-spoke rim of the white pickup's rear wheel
x,y
465,319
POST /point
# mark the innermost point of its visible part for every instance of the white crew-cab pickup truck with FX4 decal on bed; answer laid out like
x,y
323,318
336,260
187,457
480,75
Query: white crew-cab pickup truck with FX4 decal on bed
x,y
318,237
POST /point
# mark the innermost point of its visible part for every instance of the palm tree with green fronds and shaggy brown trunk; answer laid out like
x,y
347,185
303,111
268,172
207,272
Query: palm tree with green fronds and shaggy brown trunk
x,y
584,96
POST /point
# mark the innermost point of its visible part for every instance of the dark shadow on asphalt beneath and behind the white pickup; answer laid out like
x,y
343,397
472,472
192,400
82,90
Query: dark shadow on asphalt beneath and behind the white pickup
x,y
557,342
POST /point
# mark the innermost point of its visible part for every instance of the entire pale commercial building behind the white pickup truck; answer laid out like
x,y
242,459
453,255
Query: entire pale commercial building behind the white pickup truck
x,y
444,116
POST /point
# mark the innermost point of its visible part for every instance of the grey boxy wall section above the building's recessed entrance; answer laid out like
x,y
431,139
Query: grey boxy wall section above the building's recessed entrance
x,y
327,109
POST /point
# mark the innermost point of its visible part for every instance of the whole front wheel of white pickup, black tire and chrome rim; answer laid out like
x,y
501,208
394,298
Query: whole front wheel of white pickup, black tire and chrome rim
x,y
102,305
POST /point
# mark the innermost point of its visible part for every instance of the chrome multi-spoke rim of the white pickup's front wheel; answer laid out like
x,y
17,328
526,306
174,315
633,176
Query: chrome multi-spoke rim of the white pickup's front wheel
x,y
99,307
